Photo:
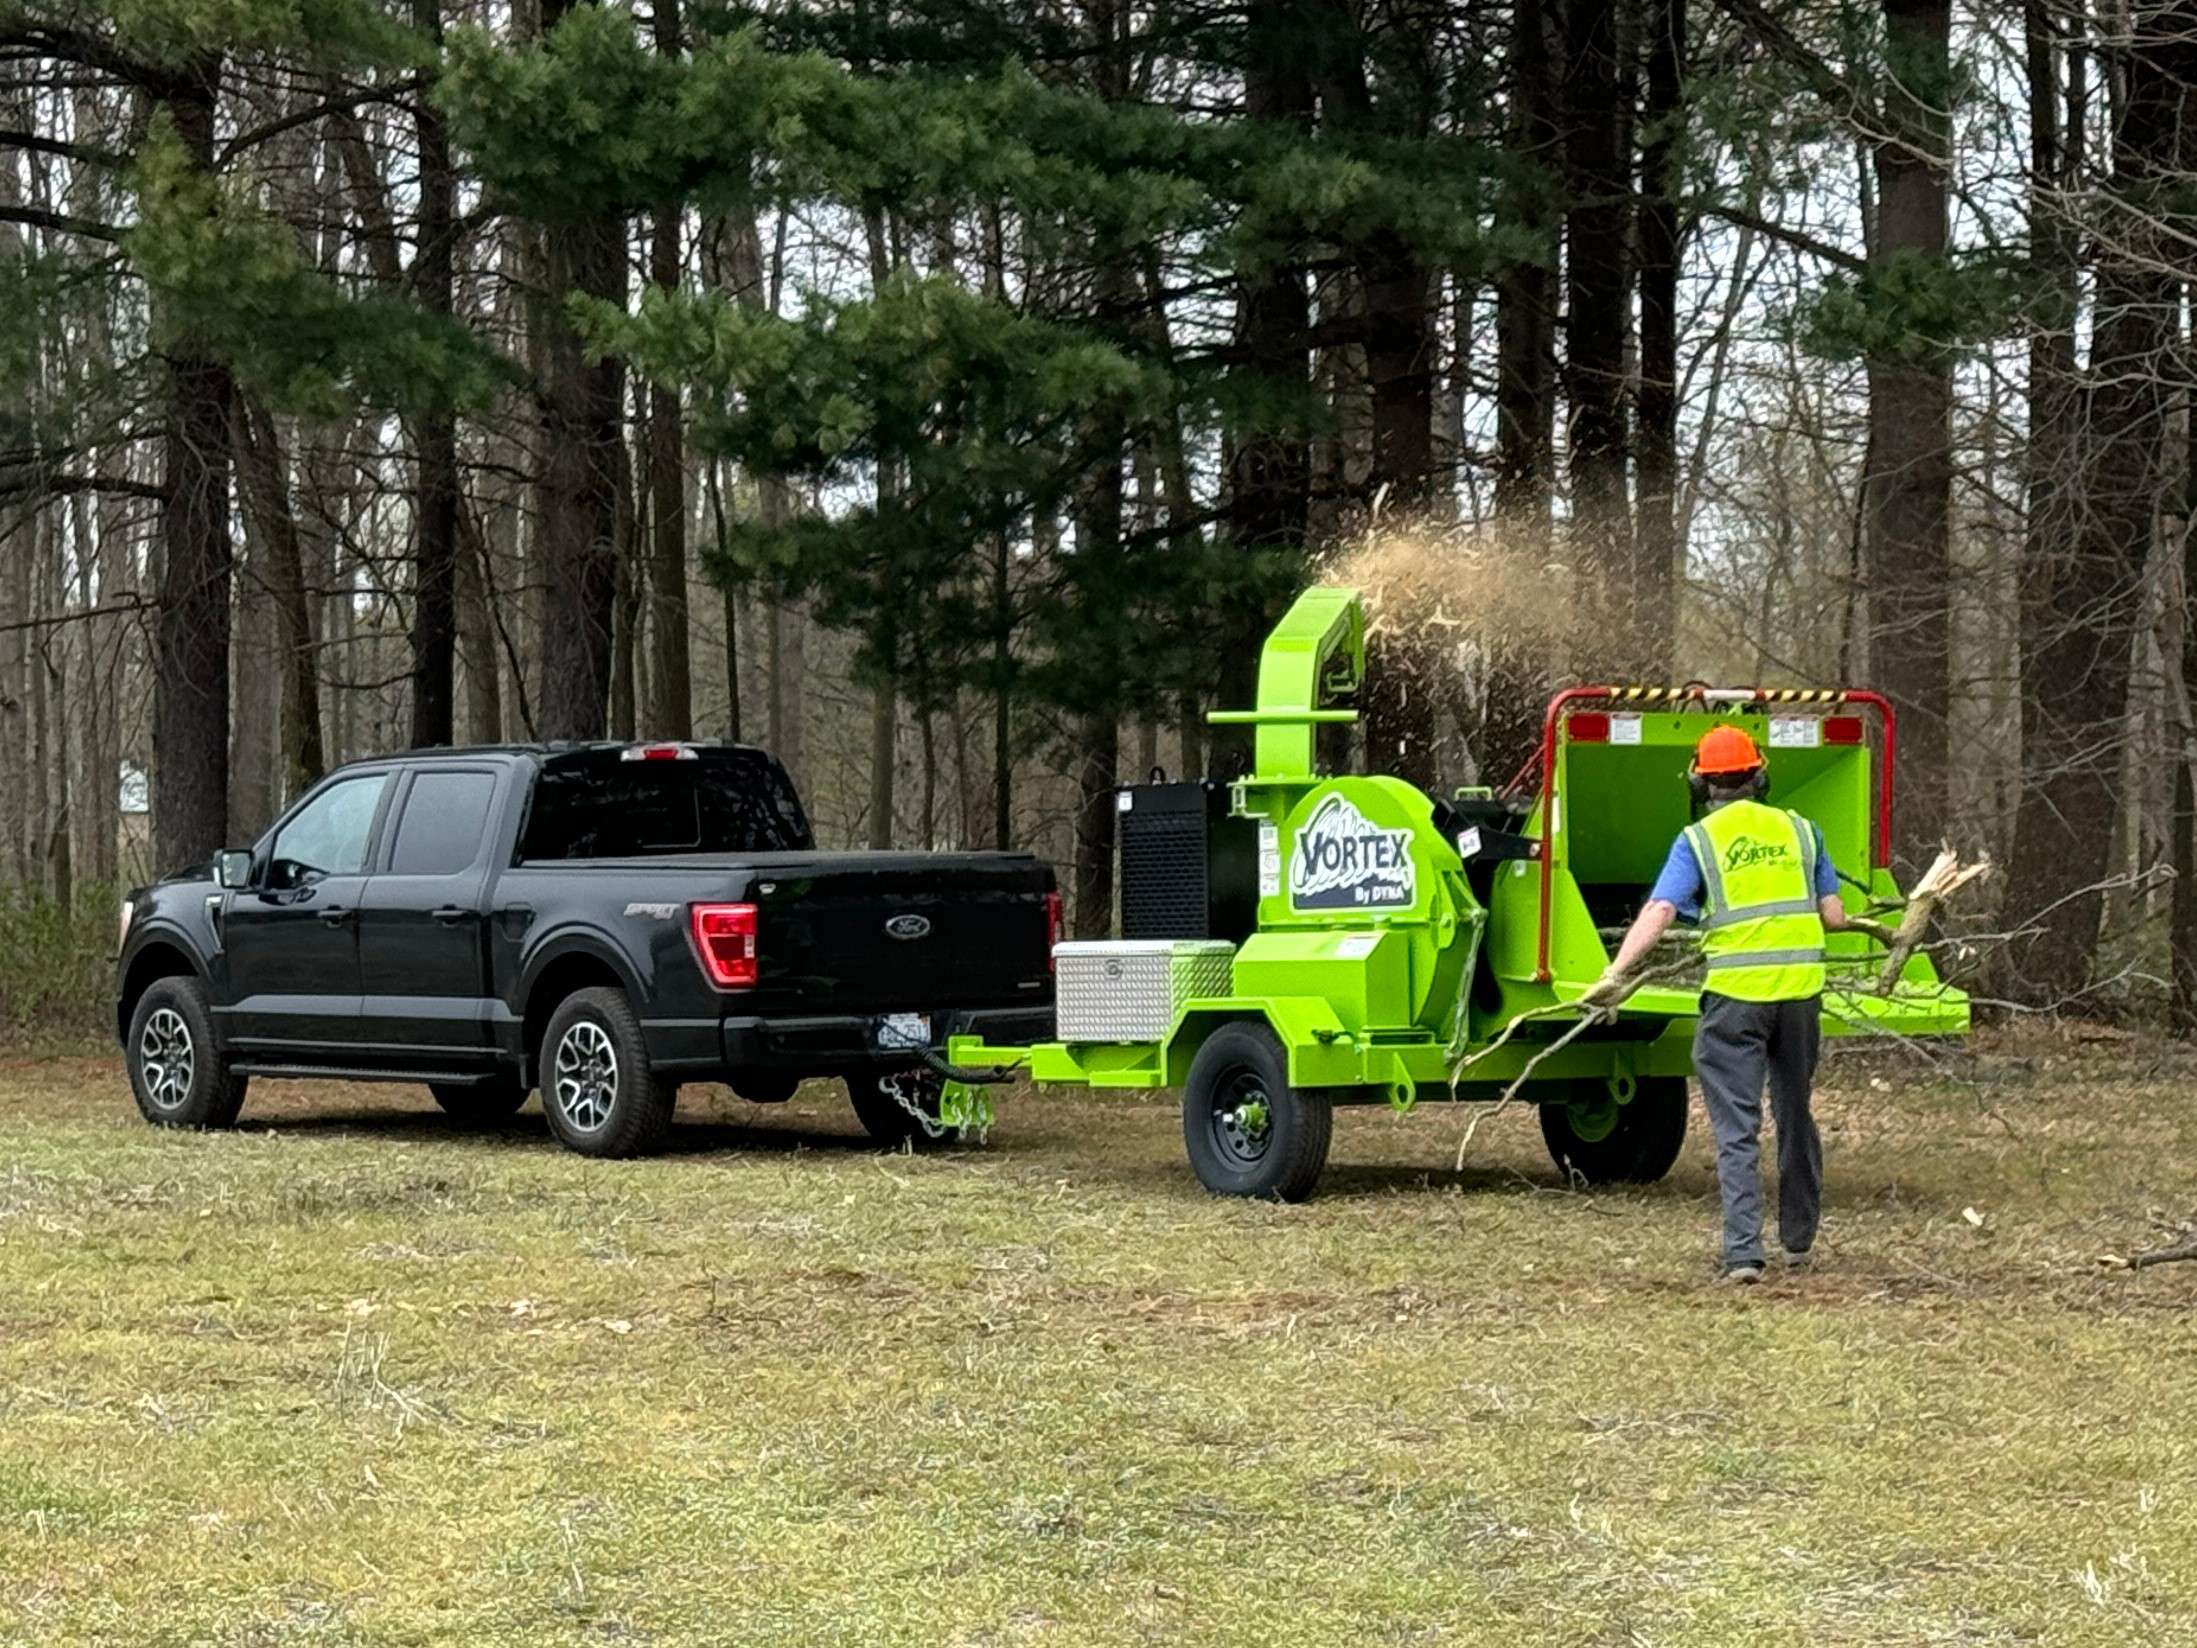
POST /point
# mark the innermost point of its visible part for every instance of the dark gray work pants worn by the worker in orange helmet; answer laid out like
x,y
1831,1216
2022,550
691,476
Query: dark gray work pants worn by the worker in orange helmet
x,y
1737,1047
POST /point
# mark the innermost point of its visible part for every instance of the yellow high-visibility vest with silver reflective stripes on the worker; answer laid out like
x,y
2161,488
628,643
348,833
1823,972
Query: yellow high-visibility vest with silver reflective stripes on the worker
x,y
1761,928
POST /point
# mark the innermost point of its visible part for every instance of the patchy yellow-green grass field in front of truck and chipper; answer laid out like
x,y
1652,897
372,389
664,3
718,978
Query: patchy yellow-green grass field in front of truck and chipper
x,y
348,1377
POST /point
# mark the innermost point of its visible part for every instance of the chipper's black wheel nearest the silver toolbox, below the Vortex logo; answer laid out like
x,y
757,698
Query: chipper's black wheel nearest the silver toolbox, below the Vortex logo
x,y
1251,1133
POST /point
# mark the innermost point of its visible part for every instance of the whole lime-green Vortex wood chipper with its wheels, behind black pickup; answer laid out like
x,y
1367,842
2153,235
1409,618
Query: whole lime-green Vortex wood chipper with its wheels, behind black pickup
x,y
1304,939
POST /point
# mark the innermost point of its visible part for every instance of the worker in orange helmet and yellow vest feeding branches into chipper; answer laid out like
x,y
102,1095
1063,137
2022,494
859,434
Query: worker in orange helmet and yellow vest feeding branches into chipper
x,y
1763,889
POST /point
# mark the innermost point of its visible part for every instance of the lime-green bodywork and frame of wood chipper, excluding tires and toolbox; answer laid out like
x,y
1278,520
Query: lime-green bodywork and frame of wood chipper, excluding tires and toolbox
x,y
1401,988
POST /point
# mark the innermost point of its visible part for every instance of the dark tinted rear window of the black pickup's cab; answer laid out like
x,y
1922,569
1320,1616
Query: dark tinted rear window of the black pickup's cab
x,y
594,805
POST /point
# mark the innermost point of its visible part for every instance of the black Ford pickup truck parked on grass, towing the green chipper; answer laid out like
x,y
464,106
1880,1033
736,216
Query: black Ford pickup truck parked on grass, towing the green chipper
x,y
603,922
